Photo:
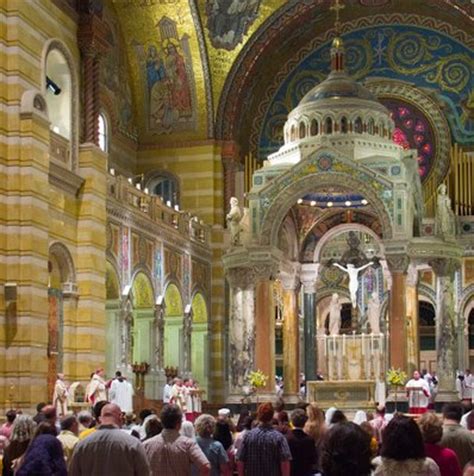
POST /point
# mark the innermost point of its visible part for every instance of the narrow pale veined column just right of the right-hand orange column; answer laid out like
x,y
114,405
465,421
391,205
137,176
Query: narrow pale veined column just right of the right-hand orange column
x,y
412,325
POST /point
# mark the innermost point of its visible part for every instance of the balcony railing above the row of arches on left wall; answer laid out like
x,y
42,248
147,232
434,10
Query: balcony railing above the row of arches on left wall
x,y
153,207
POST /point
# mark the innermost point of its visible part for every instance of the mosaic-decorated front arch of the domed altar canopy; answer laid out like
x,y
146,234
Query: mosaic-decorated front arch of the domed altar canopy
x,y
288,196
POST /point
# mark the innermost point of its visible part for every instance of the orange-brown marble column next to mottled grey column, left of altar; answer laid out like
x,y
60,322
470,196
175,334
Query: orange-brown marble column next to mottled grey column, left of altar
x,y
265,332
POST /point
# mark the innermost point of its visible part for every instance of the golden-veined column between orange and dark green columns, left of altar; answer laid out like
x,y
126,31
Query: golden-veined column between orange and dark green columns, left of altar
x,y
291,370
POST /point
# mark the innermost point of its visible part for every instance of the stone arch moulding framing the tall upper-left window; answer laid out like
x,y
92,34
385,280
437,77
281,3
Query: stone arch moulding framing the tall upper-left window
x,y
57,44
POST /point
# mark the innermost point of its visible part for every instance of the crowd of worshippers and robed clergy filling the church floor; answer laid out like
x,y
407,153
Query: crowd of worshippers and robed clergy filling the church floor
x,y
273,441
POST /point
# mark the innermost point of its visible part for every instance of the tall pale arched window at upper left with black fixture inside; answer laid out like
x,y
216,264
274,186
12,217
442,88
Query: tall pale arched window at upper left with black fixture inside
x,y
58,93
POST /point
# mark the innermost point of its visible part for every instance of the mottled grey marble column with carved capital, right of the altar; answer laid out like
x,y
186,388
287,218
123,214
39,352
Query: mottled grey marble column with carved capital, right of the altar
x,y
446,335
